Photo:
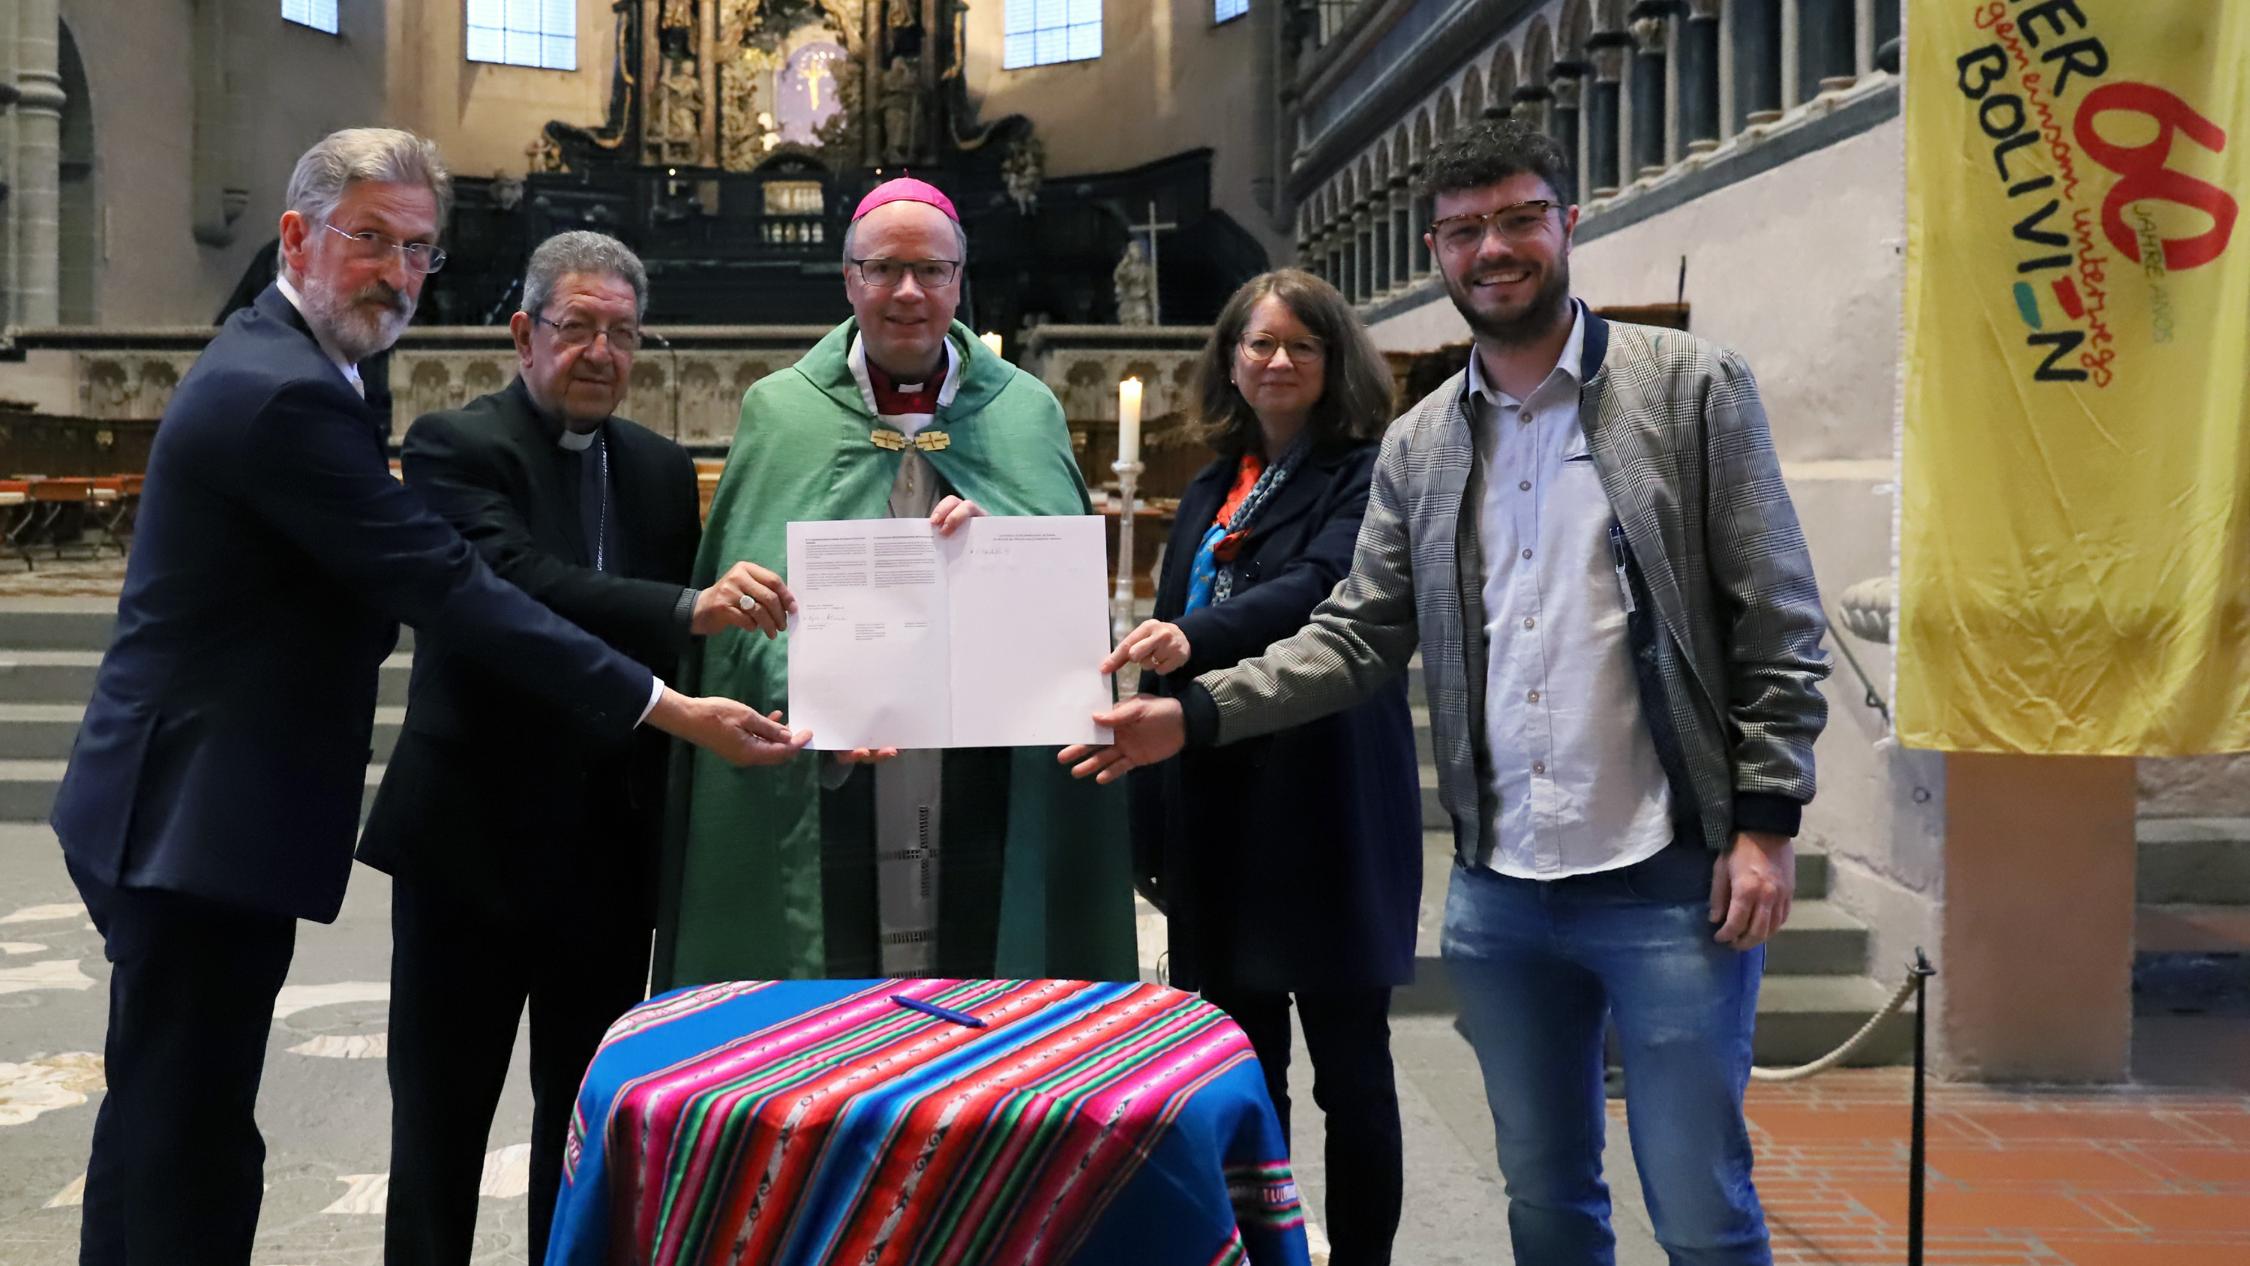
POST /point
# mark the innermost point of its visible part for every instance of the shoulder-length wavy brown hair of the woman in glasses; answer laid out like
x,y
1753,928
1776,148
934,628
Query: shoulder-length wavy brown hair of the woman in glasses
x,y
1356,383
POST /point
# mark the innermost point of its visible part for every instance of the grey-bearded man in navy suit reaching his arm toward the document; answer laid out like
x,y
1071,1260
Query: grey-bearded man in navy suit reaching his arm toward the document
x,y
217,779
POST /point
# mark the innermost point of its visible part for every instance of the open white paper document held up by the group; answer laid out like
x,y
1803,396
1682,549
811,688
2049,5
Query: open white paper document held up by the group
x,y
991,637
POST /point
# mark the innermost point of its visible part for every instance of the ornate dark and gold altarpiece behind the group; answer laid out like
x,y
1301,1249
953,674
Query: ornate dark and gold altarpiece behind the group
x,y
741,134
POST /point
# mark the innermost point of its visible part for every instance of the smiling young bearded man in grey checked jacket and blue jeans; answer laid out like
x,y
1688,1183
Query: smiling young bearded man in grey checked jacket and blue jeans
x,y
1590,541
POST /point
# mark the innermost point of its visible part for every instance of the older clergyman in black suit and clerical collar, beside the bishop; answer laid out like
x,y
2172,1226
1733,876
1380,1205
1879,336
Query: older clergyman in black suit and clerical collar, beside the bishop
x,y
525,849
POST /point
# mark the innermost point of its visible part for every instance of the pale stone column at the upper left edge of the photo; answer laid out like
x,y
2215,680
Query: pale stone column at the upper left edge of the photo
x,y
35,199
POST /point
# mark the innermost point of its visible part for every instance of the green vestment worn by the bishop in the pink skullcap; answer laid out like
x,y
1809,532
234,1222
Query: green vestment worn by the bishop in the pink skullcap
x,y
744,878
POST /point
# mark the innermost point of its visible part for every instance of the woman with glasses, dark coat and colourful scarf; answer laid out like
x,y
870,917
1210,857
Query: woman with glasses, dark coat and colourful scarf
x,y
1288,867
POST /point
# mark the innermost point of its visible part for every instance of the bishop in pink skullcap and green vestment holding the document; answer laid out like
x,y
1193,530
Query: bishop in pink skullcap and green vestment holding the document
x,y
964,862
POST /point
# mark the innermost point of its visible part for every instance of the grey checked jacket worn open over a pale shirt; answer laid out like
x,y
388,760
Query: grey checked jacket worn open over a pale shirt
x,y
1729,624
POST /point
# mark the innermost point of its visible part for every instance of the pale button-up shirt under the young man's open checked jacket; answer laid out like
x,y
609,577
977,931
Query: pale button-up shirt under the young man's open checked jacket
x,y
1572,754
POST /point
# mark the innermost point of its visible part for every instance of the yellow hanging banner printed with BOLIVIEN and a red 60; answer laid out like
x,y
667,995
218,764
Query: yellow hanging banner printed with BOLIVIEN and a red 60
x,y
2076,505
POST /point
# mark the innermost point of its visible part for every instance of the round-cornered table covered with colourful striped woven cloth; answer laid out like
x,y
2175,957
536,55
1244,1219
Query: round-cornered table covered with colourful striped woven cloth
x,y
818,1121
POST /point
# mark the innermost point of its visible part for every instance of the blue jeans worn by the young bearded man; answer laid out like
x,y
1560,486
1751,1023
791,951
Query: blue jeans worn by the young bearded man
x,y
1538,968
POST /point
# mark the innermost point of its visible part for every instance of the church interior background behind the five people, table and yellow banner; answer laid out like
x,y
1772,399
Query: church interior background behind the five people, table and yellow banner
x,y
1119,170
